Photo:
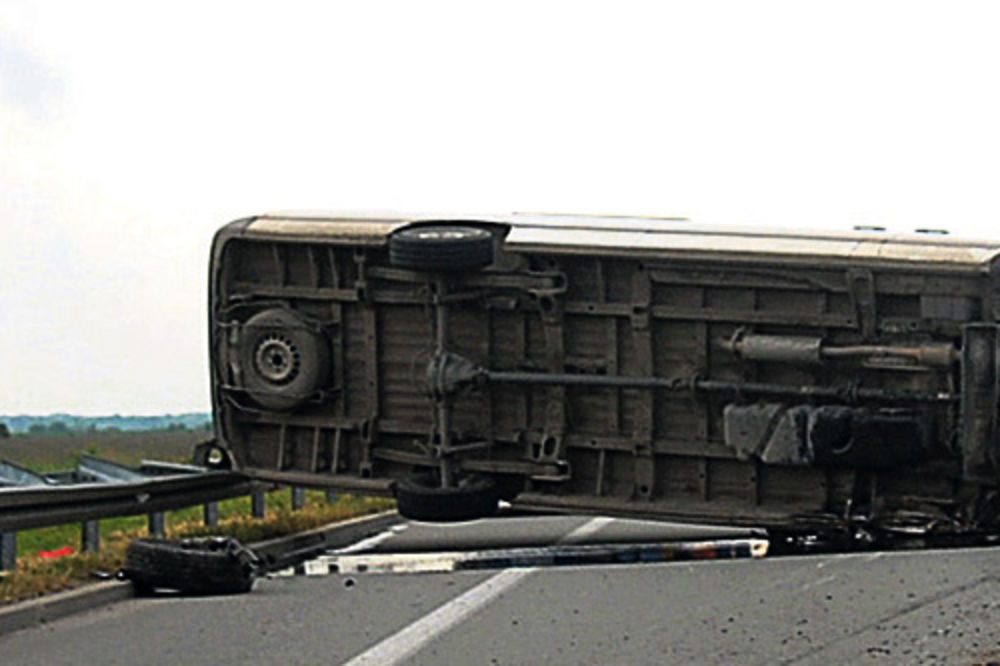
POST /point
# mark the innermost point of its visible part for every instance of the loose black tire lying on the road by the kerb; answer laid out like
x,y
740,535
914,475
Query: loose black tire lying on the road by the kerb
x,y
213,565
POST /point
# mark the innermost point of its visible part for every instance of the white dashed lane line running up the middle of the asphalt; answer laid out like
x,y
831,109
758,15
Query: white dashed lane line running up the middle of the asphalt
x,y
410,639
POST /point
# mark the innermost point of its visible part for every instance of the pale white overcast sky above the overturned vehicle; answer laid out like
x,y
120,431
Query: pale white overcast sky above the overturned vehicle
x,y
128,135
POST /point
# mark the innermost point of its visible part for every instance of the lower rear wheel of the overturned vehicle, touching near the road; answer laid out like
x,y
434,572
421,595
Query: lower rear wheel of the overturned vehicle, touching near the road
x,y
422,498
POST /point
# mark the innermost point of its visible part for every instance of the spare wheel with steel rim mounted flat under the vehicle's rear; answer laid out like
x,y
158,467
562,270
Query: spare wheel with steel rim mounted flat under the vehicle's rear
x,y
284,360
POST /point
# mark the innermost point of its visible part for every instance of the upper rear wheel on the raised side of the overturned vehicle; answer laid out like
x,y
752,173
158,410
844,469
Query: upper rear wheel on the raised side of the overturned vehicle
x,y
441,248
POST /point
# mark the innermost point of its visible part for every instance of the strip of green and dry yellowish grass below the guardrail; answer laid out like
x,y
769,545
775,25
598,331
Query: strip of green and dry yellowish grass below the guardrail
x,y
35,575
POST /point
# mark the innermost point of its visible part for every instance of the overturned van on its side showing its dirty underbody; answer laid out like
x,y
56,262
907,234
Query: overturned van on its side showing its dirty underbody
x,y
628,366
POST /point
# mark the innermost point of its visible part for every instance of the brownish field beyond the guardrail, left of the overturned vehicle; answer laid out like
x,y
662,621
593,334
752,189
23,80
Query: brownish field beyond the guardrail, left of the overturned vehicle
x,y
47,453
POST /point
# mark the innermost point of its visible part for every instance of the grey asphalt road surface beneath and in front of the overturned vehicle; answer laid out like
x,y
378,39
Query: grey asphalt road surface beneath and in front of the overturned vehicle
x,y
891,608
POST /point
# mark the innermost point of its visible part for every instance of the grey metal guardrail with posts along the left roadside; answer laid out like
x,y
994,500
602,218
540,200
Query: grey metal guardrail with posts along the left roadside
x,y
99,488
